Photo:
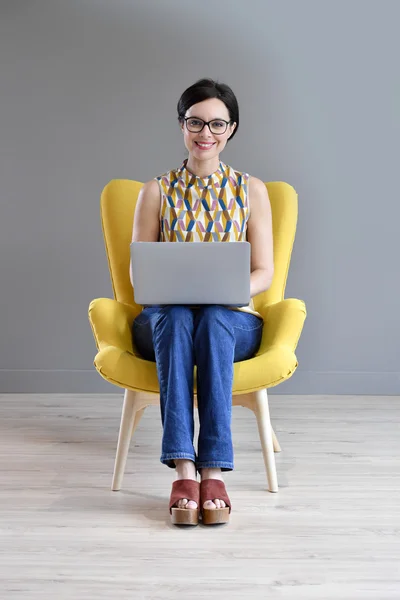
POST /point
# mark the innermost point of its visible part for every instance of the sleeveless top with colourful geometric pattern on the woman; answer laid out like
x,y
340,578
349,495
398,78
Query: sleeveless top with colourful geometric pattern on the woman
x,y
205,209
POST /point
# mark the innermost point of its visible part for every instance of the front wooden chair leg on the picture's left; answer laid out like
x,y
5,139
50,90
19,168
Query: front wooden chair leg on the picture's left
x,y
129,420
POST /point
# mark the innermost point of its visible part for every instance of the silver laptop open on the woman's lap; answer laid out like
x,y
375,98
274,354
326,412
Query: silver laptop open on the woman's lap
x,y
193,273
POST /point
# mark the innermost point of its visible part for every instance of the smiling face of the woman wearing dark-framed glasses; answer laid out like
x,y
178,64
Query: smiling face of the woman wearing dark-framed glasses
x,y
206,145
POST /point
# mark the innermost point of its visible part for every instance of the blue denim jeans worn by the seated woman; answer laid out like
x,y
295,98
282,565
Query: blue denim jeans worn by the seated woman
x,y
212,338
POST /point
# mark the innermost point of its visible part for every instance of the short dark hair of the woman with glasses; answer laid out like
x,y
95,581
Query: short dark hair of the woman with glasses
x,y
204,89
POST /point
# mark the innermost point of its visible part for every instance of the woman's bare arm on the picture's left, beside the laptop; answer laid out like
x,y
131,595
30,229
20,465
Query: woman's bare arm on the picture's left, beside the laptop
x,y
146,222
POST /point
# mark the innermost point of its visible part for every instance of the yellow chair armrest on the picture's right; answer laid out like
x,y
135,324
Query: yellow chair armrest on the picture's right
x,y
283,324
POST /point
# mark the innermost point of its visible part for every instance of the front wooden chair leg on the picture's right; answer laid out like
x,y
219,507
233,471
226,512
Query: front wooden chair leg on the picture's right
x,y
261,410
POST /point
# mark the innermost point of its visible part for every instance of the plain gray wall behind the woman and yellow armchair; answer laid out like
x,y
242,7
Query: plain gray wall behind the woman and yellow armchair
x,y
88,93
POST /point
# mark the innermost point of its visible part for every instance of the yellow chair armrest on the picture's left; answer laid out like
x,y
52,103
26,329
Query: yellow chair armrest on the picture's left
x,y
112,322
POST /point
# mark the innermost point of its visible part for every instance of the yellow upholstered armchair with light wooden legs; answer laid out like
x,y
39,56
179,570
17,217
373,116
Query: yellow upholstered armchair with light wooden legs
x,y
118,361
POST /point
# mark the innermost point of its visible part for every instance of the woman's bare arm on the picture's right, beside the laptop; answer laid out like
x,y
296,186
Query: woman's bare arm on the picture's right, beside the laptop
x,y
259,234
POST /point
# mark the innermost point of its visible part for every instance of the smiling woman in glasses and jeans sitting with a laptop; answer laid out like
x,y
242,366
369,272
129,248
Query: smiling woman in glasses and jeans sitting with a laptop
x,y
203,200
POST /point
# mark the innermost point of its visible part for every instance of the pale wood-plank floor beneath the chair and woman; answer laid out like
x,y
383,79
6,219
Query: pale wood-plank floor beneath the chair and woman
x,y
332,531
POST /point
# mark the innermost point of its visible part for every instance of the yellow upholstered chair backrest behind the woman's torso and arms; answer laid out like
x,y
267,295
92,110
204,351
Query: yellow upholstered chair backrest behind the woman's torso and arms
x,y
117,205
